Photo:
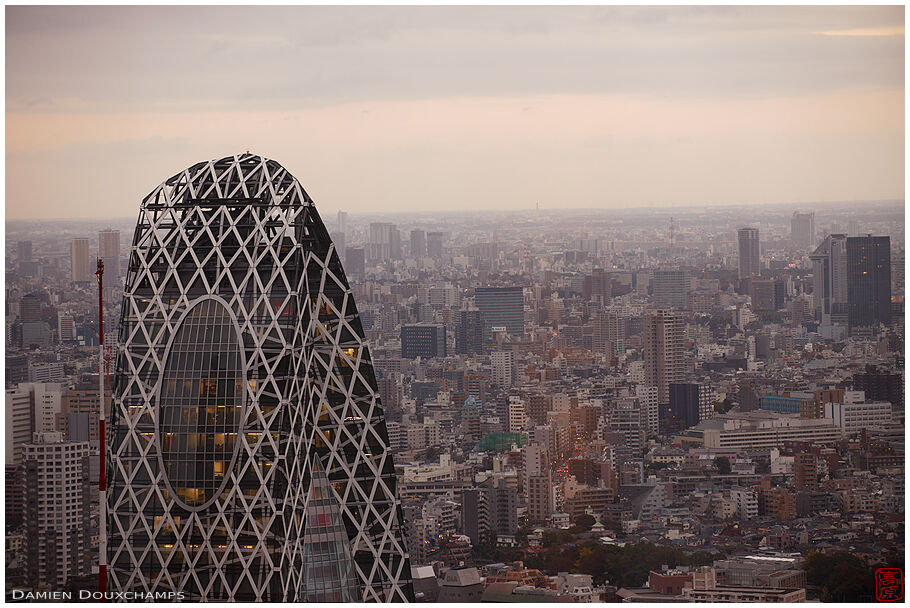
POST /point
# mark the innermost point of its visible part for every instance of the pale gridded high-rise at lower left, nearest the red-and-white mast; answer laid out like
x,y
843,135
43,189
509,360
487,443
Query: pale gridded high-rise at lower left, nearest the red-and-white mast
x,y
57,510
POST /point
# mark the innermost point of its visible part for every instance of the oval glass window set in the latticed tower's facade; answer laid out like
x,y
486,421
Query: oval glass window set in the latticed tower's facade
x,y
200,403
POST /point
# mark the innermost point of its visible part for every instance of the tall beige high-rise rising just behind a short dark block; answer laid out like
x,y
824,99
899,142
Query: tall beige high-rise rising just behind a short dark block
x,y
663,351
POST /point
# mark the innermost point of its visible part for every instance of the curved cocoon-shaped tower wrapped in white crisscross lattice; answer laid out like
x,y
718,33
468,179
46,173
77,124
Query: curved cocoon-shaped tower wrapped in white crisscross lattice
x,y
255,382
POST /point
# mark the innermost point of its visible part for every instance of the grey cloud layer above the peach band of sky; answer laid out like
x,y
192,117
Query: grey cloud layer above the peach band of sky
x,y
215,58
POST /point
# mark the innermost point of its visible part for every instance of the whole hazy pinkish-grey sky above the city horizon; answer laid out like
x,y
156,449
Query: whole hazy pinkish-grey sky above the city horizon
x,y
441,108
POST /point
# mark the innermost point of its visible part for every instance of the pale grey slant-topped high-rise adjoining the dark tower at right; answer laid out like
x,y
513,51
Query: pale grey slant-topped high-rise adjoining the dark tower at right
x,y
829,279
